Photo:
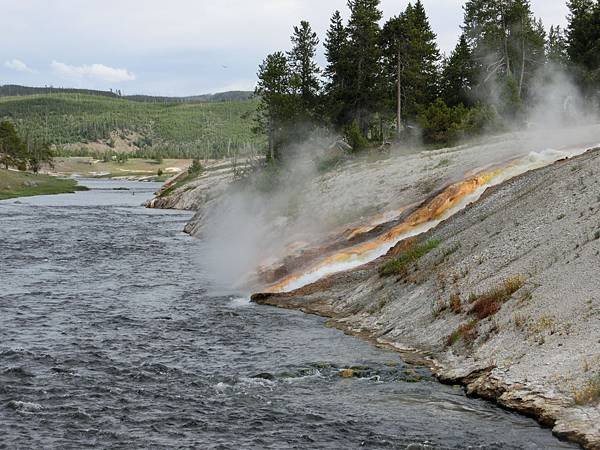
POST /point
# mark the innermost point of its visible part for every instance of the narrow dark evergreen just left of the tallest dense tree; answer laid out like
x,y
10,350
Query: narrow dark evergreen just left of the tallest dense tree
x,y
336,52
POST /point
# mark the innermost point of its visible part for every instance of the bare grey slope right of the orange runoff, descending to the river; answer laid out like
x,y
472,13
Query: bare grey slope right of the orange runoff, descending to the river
x,y
506,303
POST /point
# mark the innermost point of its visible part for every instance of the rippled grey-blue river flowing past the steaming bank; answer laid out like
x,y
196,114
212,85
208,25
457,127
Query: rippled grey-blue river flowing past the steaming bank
x,y
111,336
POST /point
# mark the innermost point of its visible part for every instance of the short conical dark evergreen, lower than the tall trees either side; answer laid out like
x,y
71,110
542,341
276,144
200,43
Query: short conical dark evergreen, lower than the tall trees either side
x,y
459,76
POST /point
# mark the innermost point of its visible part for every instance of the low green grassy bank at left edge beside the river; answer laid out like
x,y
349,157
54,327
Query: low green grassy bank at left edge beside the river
x,y
21,184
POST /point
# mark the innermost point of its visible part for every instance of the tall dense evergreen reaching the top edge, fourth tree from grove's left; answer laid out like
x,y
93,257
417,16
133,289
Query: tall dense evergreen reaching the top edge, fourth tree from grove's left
x,y
363,91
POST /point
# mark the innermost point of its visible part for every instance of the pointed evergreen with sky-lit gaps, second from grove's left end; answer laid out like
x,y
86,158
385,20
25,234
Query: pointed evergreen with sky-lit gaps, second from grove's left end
x,y
305,72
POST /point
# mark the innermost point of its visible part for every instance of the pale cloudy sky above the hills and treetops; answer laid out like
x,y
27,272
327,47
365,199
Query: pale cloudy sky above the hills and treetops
x,y
178,47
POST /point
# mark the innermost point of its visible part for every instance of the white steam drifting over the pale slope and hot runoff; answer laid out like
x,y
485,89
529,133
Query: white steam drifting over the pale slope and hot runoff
x,y
259,224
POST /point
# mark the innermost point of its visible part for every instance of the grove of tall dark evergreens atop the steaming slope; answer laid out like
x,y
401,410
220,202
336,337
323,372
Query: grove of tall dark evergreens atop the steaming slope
x,y
389,81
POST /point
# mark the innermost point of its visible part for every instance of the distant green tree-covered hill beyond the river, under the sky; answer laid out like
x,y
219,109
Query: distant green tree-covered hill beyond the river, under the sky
x,y
92,125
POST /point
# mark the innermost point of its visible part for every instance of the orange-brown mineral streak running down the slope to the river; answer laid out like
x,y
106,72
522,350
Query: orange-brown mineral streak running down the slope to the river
x,y
433,210
